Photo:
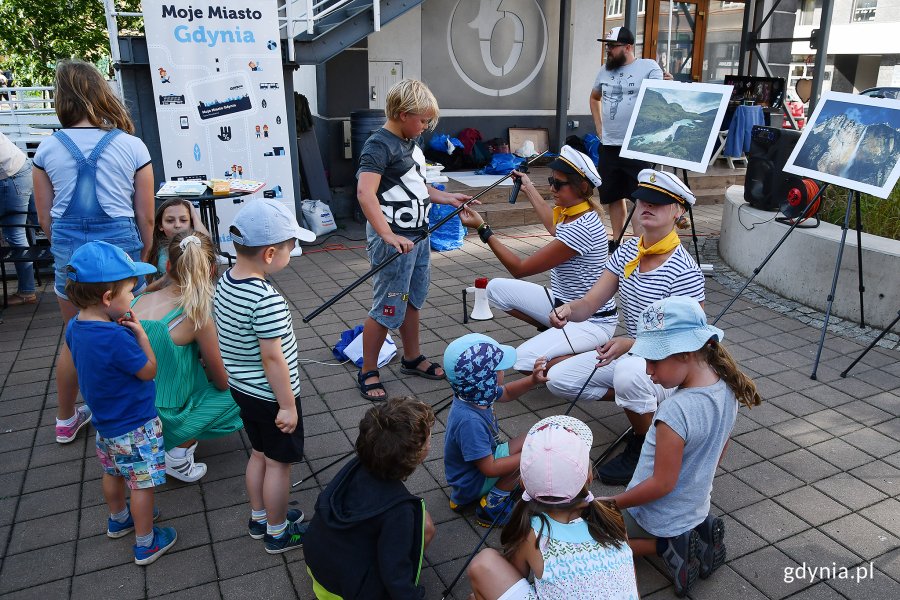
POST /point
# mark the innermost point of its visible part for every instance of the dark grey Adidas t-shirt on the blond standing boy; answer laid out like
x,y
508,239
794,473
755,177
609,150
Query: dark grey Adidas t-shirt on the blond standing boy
x,y
402,192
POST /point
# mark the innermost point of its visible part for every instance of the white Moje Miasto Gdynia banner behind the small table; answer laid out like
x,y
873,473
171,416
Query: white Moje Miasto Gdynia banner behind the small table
x,y
218,81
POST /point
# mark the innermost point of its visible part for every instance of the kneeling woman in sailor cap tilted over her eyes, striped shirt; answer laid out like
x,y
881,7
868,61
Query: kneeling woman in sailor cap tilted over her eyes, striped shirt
x,y
642,271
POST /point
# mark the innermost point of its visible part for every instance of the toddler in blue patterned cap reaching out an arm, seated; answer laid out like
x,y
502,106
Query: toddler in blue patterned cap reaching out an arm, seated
x,y
477,465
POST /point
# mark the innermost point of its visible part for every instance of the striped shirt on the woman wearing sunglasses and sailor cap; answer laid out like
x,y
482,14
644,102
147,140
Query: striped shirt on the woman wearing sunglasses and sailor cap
x,y
571,280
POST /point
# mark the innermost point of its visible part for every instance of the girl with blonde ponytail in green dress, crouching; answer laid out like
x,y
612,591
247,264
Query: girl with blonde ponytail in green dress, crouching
x,y
192,396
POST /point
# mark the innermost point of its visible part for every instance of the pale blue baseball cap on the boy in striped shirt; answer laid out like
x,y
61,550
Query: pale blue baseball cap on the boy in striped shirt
x,y
267,221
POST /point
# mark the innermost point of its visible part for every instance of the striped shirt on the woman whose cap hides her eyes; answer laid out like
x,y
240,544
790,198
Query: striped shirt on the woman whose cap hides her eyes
x,y
678,276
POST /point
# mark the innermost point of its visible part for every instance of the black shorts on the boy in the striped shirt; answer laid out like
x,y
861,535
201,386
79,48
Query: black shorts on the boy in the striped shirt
x,y
259,423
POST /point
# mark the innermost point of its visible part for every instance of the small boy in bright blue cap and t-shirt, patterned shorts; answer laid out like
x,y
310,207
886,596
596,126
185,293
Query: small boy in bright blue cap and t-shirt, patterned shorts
x,y
116,367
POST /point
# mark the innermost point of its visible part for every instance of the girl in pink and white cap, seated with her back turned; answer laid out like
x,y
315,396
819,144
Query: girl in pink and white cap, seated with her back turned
x,y
575,546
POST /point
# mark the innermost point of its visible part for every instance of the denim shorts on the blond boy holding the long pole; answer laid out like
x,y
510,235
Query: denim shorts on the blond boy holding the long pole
x,y
403,281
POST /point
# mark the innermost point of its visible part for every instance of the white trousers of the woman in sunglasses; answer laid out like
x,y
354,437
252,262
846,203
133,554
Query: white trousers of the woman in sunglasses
x,y
531,299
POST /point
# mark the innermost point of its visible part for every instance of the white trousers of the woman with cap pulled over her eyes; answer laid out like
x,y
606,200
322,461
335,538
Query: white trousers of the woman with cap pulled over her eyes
x,y
627,375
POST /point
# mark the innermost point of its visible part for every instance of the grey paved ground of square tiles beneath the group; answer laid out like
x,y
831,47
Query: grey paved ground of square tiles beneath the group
x,y
812,477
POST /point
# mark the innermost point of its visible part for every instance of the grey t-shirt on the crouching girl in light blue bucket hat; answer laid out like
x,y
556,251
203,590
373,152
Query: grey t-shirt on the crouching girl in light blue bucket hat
x,y
703,418
